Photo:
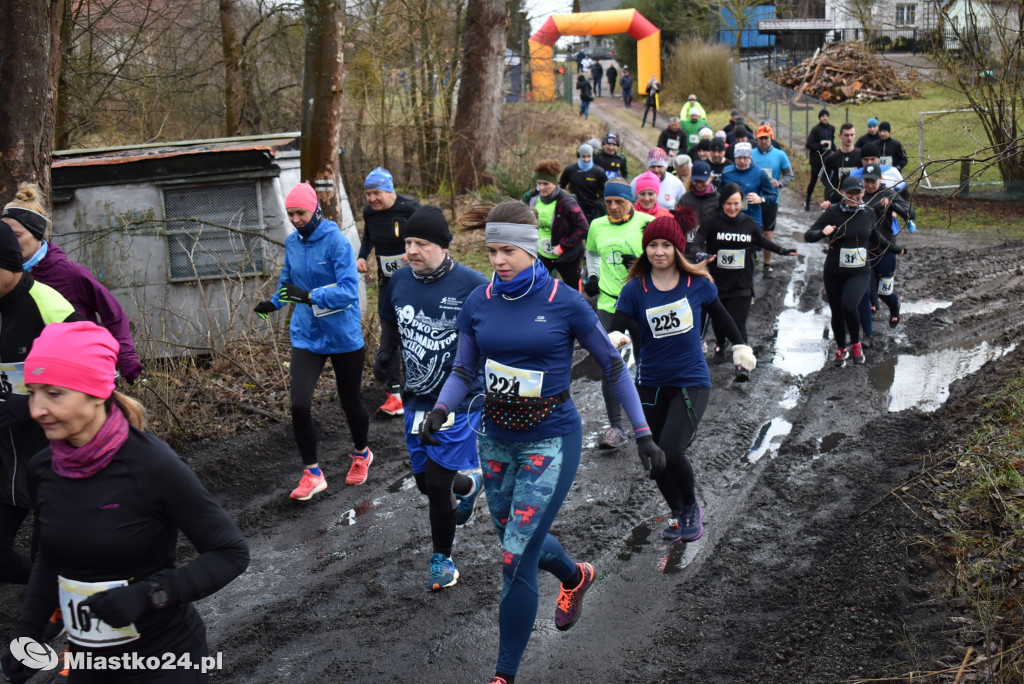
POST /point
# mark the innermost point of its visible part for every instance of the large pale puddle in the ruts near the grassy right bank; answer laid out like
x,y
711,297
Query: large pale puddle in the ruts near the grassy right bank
x,y
923,382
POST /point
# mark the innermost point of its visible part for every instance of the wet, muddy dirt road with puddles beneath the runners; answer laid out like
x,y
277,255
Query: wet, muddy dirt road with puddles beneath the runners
x,y
804,574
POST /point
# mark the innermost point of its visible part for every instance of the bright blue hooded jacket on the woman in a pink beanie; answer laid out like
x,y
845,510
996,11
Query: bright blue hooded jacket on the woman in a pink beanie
x,y
325,266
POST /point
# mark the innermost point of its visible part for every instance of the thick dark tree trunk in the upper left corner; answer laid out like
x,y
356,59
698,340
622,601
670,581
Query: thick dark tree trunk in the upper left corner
x,y
30,67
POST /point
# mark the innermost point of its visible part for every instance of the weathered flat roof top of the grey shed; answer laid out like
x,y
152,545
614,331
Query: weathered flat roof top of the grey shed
x,y
130,154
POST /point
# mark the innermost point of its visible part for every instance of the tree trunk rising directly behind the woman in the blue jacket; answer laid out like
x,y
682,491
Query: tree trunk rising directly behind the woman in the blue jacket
x,y
322,98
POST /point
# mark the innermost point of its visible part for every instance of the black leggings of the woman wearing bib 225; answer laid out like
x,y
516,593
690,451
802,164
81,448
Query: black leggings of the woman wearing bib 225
x,y
673,424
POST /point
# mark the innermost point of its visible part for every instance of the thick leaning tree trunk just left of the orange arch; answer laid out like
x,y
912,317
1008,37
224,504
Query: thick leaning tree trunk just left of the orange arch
x,y
479,109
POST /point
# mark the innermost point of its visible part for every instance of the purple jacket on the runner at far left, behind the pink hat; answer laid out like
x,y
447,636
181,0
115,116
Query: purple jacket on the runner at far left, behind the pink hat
x,y
91,300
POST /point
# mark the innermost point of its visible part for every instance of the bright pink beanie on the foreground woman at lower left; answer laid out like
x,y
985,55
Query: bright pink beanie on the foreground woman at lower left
x,y
77,356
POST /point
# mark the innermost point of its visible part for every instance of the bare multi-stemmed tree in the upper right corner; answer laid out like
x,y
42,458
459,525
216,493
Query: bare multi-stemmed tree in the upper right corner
x,y
986,58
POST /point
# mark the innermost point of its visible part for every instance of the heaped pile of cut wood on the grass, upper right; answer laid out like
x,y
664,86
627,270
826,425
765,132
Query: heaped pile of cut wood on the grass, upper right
x,y
841,72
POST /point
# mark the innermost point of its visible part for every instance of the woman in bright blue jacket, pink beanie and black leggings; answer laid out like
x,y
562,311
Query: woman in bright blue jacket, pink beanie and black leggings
x,y
320,278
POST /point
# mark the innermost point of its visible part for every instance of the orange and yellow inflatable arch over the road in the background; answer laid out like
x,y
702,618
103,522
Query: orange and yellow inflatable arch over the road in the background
x,y
542,44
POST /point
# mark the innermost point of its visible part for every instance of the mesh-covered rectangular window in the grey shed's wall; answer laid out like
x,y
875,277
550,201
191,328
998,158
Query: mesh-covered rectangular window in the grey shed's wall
x,y
215,232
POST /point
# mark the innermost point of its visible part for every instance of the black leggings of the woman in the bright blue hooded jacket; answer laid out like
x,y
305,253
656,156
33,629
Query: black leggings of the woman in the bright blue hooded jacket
x,y
307,369
